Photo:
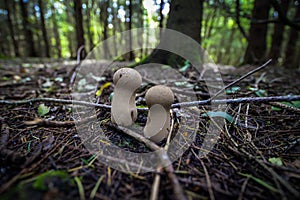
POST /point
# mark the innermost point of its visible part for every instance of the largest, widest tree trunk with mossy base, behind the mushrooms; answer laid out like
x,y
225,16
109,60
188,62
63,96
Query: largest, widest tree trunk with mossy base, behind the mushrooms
x,y
185,16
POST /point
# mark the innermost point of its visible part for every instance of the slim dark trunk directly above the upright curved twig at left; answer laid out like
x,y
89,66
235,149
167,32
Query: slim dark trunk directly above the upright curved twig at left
x,y
79,27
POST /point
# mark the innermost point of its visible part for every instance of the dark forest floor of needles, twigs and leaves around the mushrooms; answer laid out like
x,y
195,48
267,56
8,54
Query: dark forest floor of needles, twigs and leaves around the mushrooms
x,y
257,155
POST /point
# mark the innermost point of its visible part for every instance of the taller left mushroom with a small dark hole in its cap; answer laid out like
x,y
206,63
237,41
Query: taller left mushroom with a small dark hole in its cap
x,y
123,108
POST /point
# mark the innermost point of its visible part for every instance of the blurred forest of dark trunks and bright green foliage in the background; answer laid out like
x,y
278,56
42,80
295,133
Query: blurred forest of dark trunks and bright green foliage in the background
x,y
234,32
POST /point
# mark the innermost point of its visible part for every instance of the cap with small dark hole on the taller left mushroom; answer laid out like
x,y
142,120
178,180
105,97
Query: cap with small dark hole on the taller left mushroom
x,y
130,75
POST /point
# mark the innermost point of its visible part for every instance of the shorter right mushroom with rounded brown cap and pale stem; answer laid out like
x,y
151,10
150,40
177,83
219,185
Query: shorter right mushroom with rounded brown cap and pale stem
x,y
159,99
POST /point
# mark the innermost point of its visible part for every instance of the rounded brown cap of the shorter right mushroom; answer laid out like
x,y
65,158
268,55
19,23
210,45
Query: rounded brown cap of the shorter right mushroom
x,y
160,94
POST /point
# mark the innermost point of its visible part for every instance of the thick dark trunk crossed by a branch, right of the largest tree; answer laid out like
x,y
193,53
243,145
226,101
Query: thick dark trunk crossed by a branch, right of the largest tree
x,y
257,45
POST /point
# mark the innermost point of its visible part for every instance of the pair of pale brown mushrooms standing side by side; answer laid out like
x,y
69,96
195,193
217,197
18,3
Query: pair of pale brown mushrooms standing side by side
x,y
158,98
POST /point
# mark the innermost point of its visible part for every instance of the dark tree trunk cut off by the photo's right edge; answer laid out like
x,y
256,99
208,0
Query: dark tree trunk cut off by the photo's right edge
x,y
291,59
